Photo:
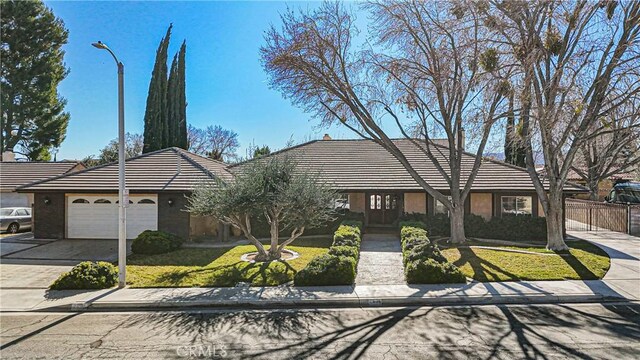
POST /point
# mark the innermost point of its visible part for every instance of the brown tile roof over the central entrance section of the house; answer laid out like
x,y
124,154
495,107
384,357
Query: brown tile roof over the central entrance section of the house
x,y
365,165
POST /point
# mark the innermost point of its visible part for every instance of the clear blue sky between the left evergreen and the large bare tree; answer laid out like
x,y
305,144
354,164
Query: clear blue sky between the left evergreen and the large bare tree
x,y
225,81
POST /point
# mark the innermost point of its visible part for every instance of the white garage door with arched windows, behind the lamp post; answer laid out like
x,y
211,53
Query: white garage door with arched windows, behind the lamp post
x,y
96,216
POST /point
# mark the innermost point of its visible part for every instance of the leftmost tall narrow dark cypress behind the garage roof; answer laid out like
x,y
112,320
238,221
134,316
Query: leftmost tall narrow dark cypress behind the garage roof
x,y
155,116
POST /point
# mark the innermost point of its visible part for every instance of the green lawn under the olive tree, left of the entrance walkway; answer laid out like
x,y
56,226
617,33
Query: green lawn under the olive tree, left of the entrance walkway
x,y
197,267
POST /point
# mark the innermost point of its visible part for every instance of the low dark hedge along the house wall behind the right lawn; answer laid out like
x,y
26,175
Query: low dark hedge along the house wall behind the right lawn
x,y
513,228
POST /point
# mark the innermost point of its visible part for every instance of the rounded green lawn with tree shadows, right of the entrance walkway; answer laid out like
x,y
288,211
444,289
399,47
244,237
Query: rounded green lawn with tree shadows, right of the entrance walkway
x,y
584,261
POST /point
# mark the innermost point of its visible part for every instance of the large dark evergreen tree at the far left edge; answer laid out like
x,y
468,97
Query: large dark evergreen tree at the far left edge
x,y
33,119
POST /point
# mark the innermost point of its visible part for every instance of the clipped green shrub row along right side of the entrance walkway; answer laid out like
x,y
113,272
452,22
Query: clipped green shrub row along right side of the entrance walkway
x,y
423,261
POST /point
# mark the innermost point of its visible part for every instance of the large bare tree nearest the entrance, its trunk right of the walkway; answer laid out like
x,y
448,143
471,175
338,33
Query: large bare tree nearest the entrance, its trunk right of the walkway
x,y
422,73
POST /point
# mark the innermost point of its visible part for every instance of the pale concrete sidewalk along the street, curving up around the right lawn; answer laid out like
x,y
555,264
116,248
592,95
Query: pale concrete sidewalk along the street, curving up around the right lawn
x,y
622,282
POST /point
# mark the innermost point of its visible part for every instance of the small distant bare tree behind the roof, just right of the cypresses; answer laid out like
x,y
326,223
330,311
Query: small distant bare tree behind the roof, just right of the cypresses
x,y
213,141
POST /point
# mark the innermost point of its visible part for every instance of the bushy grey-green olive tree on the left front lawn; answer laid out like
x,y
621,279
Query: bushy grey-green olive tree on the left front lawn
x,y
288,197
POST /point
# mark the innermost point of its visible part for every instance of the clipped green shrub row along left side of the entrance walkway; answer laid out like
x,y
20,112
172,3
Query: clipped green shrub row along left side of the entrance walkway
x,y
338,266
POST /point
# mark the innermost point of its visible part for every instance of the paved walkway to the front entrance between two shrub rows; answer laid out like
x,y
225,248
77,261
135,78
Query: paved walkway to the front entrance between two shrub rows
x,y
380,260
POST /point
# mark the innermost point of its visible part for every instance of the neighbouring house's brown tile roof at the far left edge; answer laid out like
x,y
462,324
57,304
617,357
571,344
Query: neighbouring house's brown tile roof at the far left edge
x,y
18,173
